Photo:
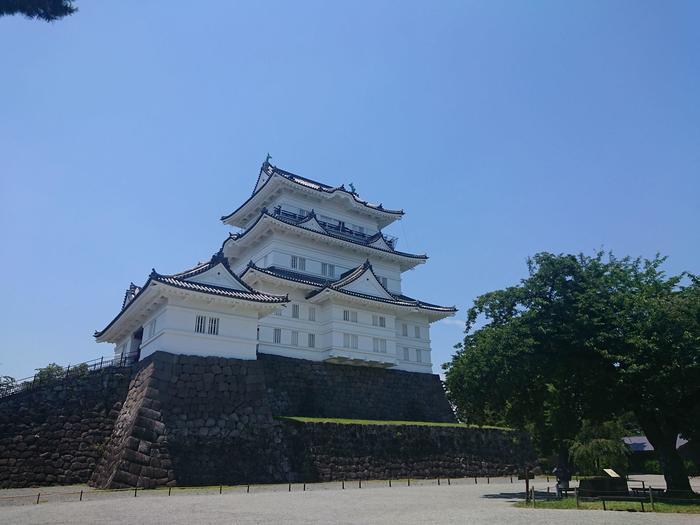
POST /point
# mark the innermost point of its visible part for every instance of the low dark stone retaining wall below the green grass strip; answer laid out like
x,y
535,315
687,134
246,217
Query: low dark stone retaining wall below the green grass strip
x,y
332,451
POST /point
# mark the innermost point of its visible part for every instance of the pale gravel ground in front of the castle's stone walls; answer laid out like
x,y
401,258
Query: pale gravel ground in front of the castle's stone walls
x,y
423,502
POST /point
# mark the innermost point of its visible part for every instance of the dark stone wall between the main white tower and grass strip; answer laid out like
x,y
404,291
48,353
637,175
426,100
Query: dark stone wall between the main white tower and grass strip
x,y
307,388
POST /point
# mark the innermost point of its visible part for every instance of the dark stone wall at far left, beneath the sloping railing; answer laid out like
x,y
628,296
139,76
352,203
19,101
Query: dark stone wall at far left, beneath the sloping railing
x,y
56,433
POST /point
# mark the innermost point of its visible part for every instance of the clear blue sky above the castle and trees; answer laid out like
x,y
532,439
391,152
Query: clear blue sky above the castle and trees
x,y
502,128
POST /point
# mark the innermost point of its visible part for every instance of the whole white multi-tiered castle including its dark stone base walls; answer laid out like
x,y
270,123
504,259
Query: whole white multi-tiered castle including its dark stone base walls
x,y
300,313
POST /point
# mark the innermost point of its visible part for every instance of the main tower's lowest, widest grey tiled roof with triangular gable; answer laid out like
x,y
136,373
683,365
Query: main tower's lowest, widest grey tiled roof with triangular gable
x,y
345,279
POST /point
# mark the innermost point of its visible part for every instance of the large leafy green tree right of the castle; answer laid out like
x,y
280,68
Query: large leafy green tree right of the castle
x,y
585,338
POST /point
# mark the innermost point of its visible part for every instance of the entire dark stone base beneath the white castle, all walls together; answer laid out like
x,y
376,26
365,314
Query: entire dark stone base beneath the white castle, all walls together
x,y
186,420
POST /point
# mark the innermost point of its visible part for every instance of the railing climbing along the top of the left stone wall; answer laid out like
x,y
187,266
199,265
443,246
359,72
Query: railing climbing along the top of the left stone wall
x,y
55,374
